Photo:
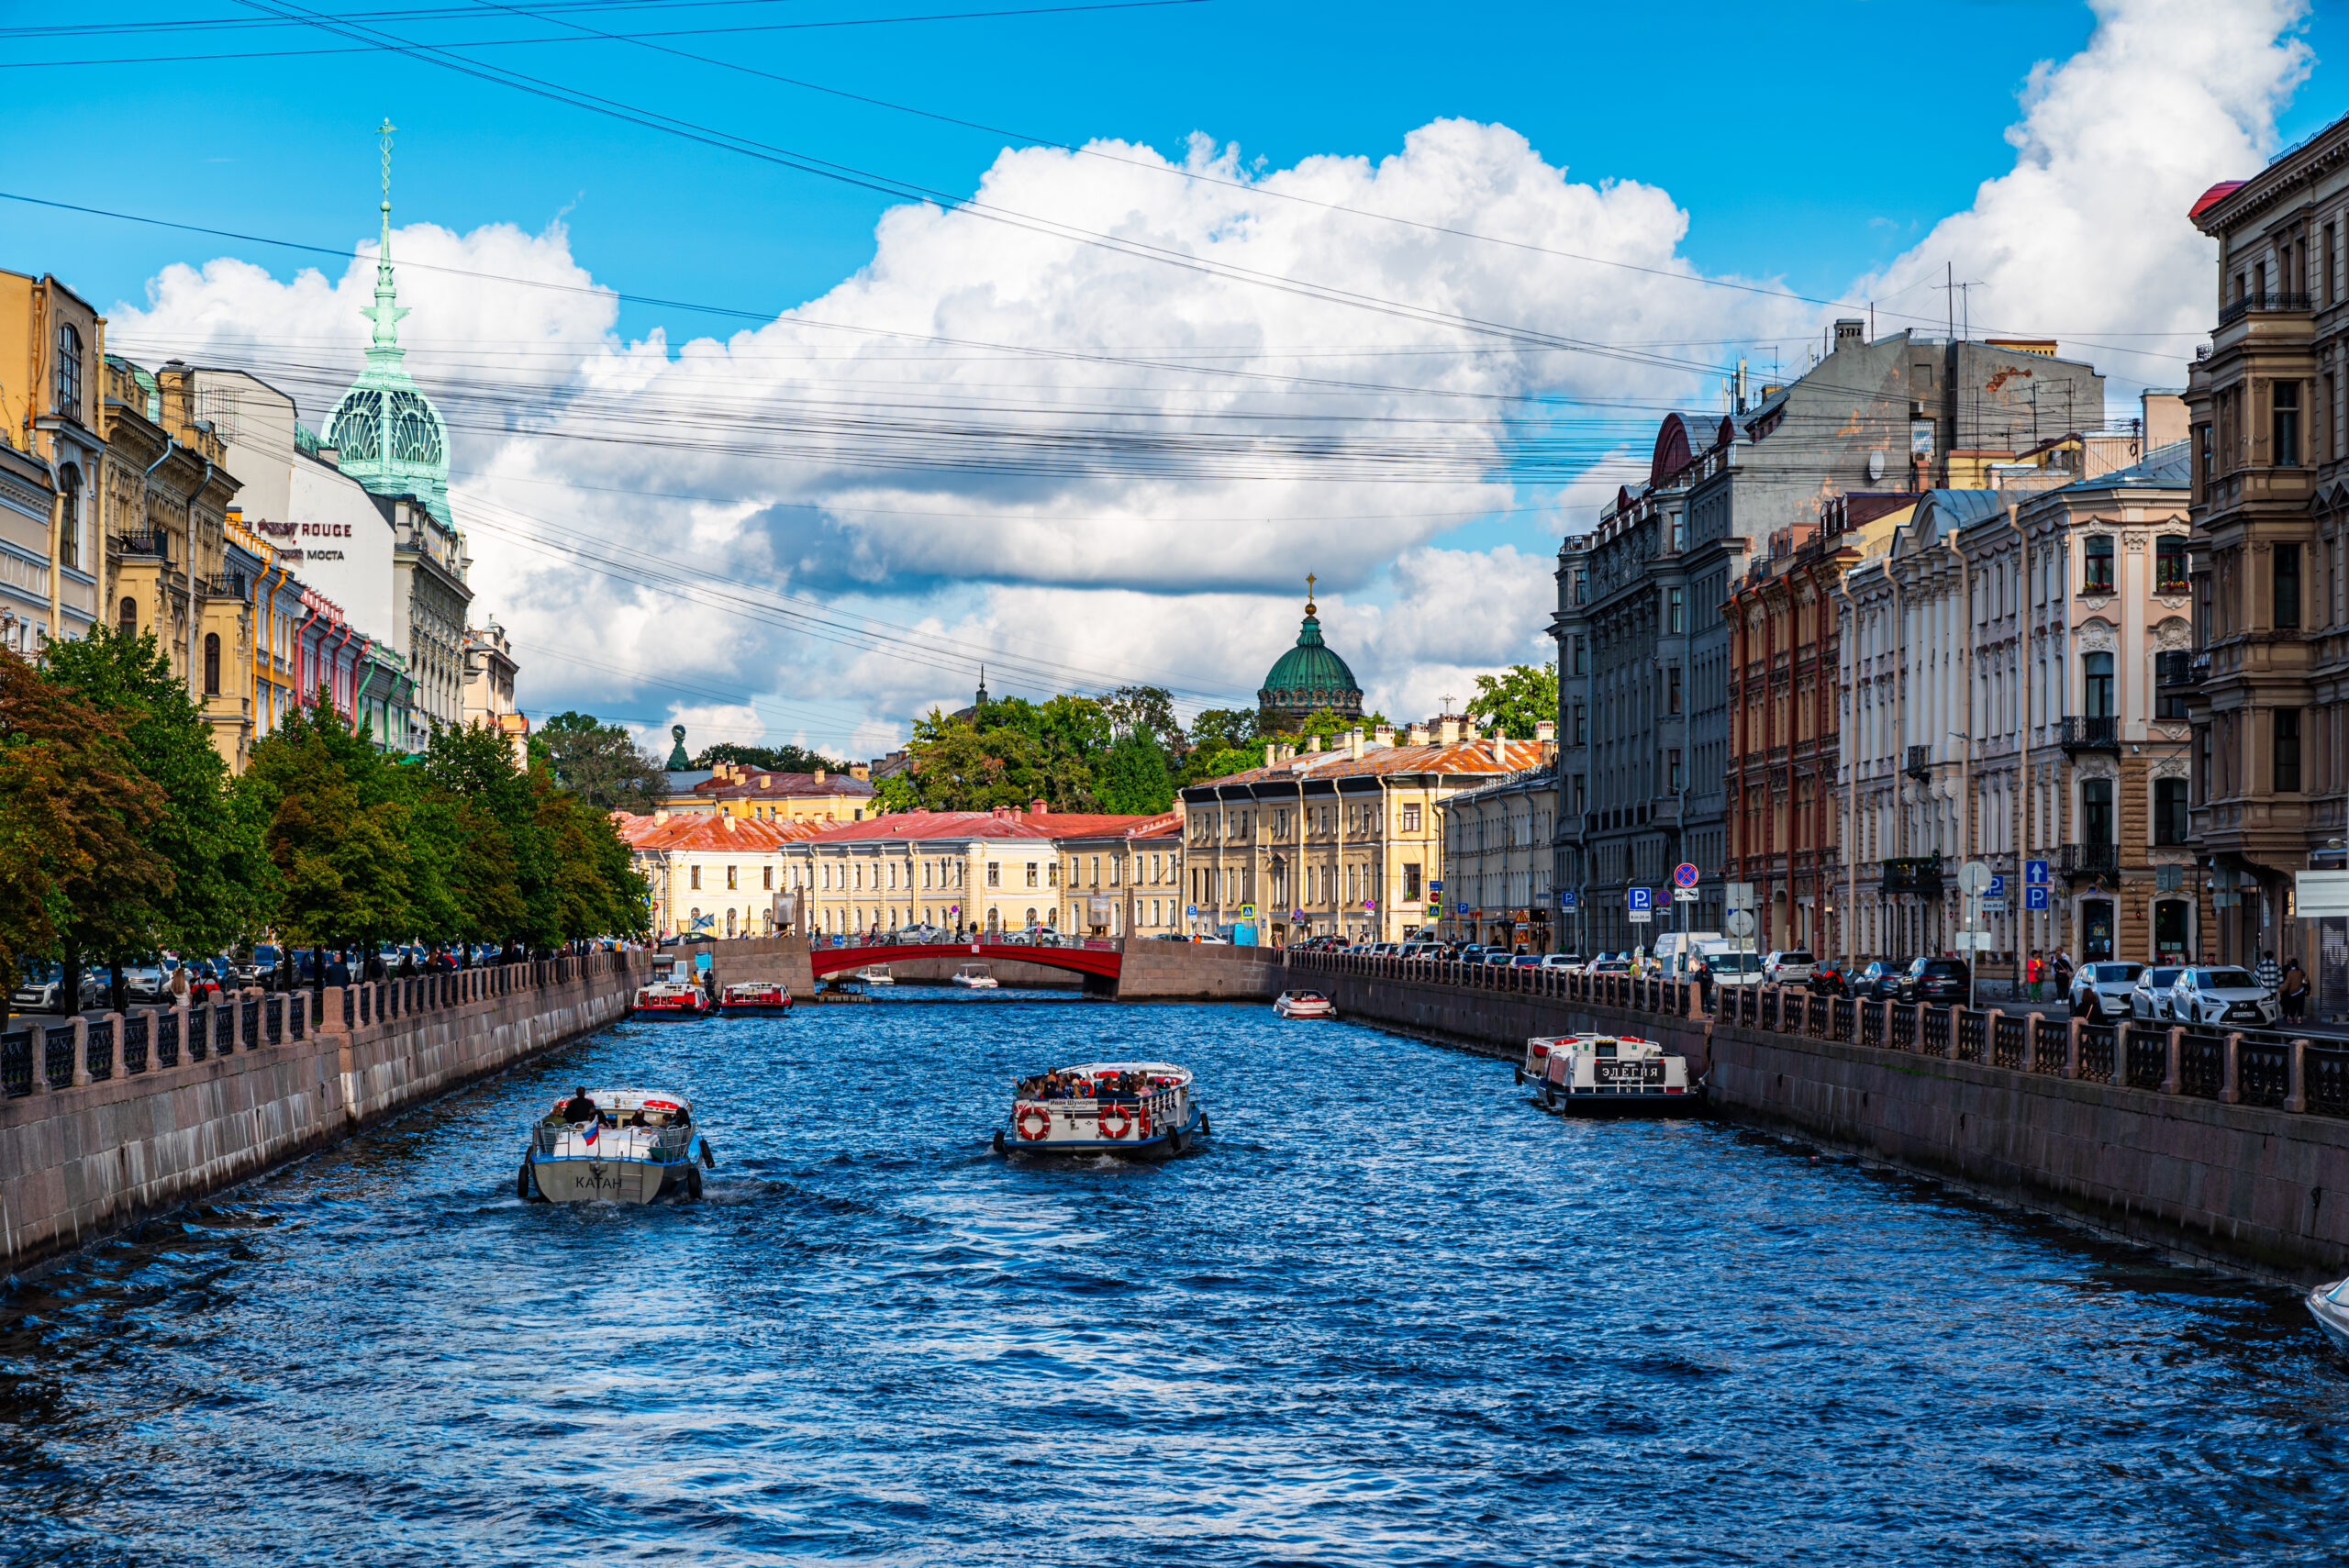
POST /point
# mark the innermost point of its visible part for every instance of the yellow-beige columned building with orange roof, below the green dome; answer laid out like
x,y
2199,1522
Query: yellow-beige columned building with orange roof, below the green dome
x,y
1342,842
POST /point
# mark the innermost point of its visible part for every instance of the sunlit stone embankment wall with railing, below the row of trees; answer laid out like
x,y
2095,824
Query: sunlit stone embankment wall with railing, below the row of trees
x,y
130,1116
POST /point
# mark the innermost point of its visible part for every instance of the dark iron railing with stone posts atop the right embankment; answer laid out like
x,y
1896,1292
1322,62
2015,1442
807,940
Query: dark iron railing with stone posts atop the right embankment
x,y
2242,1069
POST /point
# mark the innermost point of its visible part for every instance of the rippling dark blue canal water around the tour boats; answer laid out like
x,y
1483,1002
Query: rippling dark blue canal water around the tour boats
x,y
1392,1316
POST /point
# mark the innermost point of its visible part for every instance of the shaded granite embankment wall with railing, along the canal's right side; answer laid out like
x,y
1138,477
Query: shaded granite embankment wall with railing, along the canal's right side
x,y
2148,1135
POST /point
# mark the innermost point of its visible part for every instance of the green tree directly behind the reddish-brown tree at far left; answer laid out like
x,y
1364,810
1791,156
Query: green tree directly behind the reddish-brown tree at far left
x,y
203,907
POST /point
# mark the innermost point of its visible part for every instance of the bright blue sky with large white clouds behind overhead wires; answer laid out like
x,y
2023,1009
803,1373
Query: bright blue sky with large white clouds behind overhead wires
x,y
1833,149
